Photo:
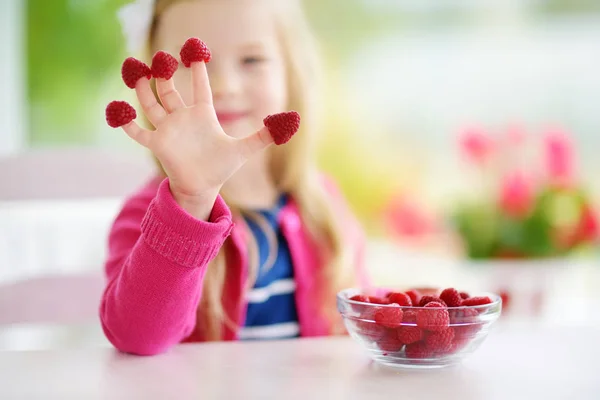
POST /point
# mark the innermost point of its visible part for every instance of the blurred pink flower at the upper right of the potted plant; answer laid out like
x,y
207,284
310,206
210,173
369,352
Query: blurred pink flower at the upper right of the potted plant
x,y
559,158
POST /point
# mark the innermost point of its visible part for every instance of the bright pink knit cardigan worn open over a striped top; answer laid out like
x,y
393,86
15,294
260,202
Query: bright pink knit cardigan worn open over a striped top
x,y
157,258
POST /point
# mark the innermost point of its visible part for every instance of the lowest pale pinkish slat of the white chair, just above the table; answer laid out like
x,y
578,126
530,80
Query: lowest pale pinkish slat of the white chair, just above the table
x,y
50,312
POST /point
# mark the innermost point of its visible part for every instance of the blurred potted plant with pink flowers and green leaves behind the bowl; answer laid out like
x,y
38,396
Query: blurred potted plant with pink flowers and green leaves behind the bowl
x,y
530,218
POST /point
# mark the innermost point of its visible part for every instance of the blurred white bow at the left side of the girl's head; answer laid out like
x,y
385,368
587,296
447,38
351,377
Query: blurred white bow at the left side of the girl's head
x,y
136,19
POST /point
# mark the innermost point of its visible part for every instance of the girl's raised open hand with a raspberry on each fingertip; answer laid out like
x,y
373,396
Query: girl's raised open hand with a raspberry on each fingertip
x,y
195,152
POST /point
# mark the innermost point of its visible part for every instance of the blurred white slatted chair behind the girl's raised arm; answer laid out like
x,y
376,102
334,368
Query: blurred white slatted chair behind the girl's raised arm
x,y
56,207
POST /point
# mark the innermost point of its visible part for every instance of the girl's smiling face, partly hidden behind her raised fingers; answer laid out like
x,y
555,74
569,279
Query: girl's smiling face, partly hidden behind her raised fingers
x,y
247,71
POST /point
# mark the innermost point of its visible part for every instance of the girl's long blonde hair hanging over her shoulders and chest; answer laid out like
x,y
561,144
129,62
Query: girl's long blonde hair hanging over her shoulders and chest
x,y
293,170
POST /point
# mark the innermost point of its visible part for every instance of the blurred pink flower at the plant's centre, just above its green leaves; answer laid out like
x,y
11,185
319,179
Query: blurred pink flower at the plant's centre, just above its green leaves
x,y
516,194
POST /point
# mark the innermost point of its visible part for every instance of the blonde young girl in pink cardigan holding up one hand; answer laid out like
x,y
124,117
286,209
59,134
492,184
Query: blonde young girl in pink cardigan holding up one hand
x,y
235,238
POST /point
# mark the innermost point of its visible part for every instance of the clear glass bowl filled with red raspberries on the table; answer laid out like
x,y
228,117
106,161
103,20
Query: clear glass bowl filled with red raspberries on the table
x,y
419,328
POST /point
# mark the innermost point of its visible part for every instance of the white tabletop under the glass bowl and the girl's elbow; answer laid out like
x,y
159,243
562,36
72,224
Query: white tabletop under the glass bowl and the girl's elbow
x,y
514,363
